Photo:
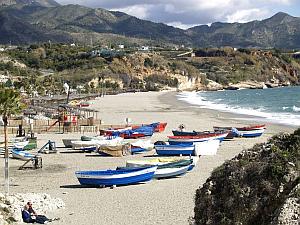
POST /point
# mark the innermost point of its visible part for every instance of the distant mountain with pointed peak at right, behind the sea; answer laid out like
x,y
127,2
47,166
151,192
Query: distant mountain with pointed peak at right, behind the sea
x,y
281,31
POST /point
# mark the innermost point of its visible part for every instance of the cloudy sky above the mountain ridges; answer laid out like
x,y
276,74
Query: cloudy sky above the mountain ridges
x,y
188,13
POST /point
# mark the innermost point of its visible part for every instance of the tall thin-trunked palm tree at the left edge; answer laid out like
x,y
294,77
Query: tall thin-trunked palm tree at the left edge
x,y
10,104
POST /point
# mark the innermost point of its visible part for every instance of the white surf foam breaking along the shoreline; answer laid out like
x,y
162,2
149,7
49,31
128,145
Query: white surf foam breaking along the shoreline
x,y
282,118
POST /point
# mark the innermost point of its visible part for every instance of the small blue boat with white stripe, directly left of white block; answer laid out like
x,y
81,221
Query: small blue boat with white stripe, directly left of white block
x,y
178,149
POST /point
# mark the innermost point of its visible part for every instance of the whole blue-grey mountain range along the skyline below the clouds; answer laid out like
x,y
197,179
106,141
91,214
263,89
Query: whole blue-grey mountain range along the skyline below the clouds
x,y
75,22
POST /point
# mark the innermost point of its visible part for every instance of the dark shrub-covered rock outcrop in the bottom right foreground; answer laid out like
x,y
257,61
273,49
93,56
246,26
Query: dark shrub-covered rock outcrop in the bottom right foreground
x,y
259,186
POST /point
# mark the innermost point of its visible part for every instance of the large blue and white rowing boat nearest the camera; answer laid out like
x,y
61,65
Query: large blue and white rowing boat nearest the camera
x,y
116,177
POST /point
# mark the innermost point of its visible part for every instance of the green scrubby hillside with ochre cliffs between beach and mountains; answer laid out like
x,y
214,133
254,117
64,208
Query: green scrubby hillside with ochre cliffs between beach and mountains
x,y
88,68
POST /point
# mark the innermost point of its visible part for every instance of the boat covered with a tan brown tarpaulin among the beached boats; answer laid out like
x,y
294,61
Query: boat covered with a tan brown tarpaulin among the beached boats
x,y
115,151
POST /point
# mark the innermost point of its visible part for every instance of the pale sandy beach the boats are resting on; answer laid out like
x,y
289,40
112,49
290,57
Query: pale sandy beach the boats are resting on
x,y
156,202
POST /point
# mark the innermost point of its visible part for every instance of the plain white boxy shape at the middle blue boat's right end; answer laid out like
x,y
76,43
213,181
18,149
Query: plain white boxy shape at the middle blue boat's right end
x,y
207,147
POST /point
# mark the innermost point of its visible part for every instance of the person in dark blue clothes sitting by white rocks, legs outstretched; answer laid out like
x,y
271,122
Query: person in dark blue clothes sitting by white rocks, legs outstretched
x,y
30,216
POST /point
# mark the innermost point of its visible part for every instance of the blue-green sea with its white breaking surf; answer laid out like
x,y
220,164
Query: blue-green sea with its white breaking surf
x,y
276,105
